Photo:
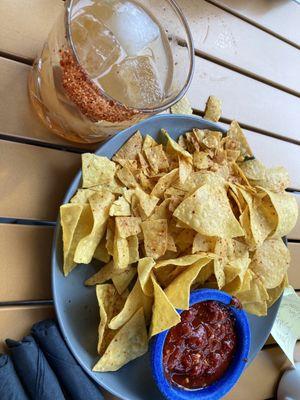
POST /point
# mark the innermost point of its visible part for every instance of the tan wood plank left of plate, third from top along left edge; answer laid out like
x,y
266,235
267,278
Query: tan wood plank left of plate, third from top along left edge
x,y
34,180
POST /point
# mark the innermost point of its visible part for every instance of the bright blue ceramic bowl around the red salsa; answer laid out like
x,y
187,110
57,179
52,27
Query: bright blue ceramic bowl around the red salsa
x,y
222,386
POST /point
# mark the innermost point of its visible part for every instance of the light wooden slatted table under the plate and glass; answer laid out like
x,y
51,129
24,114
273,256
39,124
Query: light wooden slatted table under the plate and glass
x,y
247,55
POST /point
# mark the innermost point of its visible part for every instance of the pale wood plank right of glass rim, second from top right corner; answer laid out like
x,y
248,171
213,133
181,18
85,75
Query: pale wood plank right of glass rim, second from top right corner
x,y
226,38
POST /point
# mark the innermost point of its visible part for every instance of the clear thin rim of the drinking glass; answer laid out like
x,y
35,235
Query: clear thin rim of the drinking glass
x,y
119,106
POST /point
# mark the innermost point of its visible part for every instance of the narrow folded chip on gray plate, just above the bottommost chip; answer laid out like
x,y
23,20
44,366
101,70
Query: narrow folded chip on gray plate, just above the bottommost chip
x,y
110,304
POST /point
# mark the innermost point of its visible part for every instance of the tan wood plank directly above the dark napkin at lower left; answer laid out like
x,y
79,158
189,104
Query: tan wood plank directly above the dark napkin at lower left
x,y
15,322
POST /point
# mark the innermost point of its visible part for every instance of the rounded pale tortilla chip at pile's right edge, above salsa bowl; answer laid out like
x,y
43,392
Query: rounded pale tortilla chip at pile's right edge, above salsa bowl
x,y
270,262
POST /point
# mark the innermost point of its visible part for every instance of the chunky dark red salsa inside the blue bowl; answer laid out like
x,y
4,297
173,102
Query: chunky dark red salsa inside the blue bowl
x,y
199,349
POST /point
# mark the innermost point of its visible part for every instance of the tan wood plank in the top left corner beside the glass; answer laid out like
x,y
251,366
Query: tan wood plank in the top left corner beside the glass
x,y
24,25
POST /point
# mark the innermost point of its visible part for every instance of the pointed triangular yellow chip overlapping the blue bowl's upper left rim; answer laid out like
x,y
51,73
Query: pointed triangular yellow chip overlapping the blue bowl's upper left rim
x,y
164,315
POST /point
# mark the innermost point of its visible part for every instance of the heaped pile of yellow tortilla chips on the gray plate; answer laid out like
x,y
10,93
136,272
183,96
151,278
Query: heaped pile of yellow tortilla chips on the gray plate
x,y
164,219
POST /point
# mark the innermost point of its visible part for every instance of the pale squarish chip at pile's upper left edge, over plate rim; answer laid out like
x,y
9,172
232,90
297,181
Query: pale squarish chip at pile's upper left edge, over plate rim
x,y
96,170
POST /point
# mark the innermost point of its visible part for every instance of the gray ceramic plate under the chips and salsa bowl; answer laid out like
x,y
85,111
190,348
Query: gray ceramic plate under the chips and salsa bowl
x,y
76,305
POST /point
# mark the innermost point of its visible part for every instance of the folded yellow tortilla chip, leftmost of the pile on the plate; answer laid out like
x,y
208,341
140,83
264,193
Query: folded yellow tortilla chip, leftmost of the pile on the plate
x,y
76,222
